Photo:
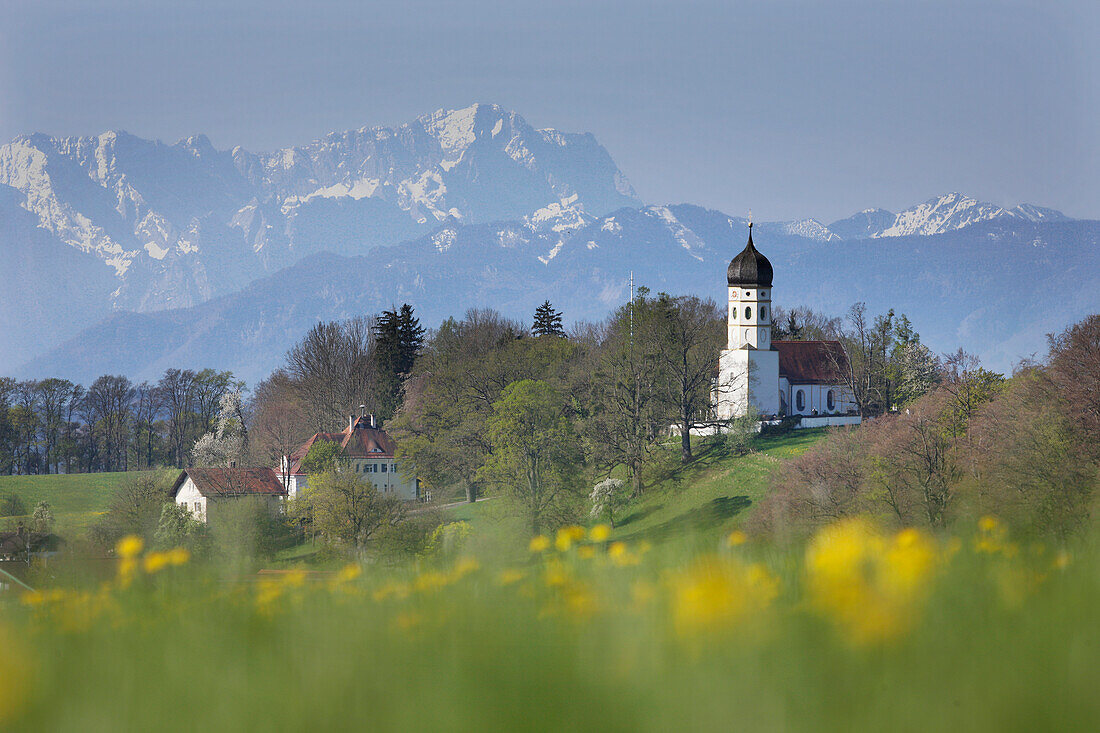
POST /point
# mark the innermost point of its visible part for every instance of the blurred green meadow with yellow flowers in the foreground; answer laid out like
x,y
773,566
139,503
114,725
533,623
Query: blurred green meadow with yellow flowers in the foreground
x,y
862,630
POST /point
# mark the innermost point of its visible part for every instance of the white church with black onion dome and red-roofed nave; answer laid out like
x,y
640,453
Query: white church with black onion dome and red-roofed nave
x,y
777,378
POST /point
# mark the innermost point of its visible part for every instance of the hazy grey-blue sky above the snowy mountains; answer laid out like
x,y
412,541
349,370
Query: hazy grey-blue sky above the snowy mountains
x,y
788,108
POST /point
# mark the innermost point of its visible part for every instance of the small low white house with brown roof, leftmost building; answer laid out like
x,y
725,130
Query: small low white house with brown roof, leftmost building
x,y
202,490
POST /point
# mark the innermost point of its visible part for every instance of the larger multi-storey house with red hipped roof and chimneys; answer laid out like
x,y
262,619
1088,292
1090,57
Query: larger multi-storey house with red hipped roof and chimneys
x,y
367,451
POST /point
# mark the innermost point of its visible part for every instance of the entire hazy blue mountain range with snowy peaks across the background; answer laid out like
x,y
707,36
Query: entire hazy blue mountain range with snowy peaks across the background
x,y
129,256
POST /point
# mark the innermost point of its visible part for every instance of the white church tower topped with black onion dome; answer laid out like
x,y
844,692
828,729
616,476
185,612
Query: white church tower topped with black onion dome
x,y
749,369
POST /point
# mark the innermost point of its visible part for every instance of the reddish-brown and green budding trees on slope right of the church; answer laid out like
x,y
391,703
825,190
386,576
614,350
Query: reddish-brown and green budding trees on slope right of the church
x,y
1024,448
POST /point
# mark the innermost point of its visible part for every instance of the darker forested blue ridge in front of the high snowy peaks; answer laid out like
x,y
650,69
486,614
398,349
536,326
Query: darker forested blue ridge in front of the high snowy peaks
x,y
953,287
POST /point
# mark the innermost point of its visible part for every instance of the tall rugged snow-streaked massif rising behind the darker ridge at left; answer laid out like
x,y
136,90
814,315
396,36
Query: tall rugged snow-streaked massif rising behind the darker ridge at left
x,y
183,223
